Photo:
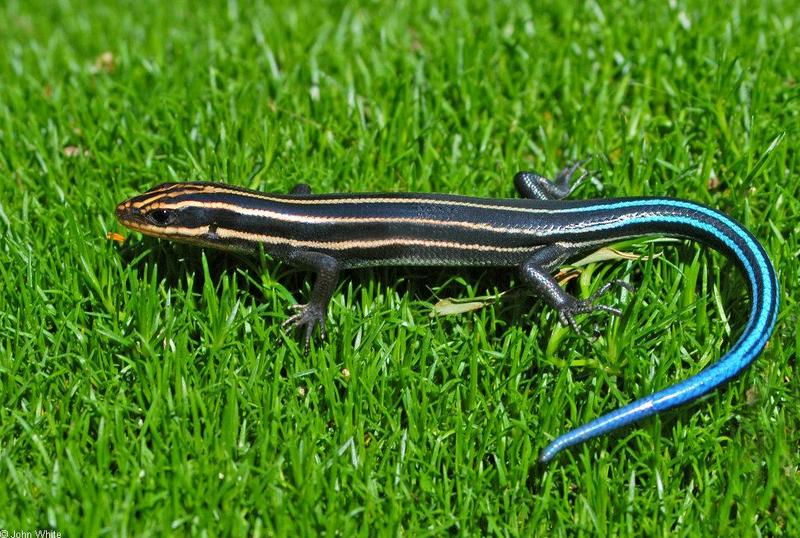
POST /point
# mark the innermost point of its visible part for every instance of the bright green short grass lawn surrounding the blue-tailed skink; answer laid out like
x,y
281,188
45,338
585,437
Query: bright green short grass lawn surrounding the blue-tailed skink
x,y
148,387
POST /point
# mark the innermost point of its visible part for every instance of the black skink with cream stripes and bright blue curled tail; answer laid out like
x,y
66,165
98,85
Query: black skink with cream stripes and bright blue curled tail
x,y
331,232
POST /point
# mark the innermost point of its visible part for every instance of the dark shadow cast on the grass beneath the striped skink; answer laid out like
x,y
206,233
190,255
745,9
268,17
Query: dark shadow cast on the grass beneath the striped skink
x,y
516,307
